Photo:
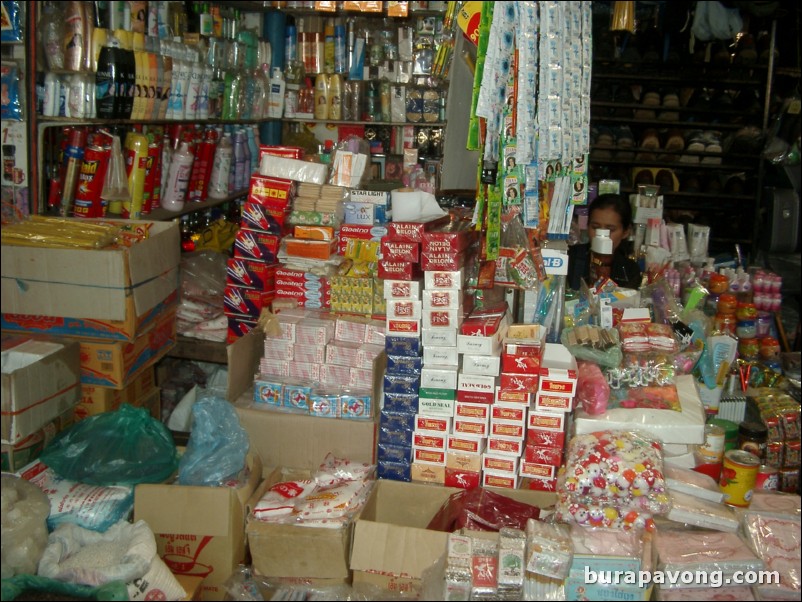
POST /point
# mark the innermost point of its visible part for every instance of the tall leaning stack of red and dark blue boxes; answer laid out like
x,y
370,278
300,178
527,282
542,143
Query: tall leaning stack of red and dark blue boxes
x,y
251,273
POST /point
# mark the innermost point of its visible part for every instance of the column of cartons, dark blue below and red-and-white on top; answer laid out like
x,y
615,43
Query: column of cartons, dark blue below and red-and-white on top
x,y
401,380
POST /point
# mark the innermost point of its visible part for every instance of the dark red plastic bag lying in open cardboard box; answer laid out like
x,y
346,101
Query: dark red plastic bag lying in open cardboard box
x,y
481,510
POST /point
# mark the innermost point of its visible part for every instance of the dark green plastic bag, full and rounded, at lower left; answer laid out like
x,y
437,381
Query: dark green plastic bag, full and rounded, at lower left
x,y
125,447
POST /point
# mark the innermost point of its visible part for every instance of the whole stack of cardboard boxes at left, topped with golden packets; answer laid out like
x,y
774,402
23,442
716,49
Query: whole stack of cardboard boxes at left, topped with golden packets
x,y
116,291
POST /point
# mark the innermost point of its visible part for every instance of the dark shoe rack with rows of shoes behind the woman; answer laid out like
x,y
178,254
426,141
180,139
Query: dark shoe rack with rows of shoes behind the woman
x,y
693,125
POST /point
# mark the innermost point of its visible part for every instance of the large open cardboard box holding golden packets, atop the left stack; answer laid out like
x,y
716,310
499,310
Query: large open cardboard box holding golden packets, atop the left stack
x,y
103,293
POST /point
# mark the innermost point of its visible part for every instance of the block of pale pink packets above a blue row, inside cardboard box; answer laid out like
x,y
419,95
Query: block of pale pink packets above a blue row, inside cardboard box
x,y
321,365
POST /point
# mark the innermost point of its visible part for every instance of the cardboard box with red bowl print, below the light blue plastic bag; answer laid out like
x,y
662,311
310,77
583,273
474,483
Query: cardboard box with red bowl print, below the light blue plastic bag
x,y
200,531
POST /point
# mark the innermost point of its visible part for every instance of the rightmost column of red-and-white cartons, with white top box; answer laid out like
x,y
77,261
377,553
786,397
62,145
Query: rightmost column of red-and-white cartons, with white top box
x,y
548,421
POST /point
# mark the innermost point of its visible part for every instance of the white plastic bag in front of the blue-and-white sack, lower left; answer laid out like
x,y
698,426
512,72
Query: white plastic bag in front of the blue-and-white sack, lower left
x,y
123,553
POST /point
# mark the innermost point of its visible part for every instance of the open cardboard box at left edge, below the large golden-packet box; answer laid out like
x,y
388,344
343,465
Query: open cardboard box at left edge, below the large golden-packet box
x,y
41,381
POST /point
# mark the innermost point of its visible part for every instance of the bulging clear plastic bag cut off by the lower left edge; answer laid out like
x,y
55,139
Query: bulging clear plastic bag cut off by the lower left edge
x,y
25,510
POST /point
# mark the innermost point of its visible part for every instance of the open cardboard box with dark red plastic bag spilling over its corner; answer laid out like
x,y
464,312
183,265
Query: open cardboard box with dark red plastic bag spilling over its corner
x,y
392,547
